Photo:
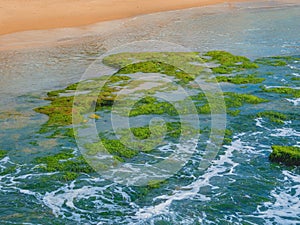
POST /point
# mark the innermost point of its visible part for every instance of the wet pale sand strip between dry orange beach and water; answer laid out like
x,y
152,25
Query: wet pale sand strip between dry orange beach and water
x,y
61,35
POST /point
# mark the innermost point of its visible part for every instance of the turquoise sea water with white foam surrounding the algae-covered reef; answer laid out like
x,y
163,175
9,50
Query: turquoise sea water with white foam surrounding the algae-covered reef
x,y
240,187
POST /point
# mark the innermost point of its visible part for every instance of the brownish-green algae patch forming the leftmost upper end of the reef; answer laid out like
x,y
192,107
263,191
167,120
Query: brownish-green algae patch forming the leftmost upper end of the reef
x,y
61,110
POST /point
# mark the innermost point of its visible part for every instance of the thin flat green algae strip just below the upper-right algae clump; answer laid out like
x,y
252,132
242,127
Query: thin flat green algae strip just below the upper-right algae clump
x,y
241,79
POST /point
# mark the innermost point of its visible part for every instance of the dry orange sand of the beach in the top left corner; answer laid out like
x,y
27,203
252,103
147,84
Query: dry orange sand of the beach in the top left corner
x,y
22,15
